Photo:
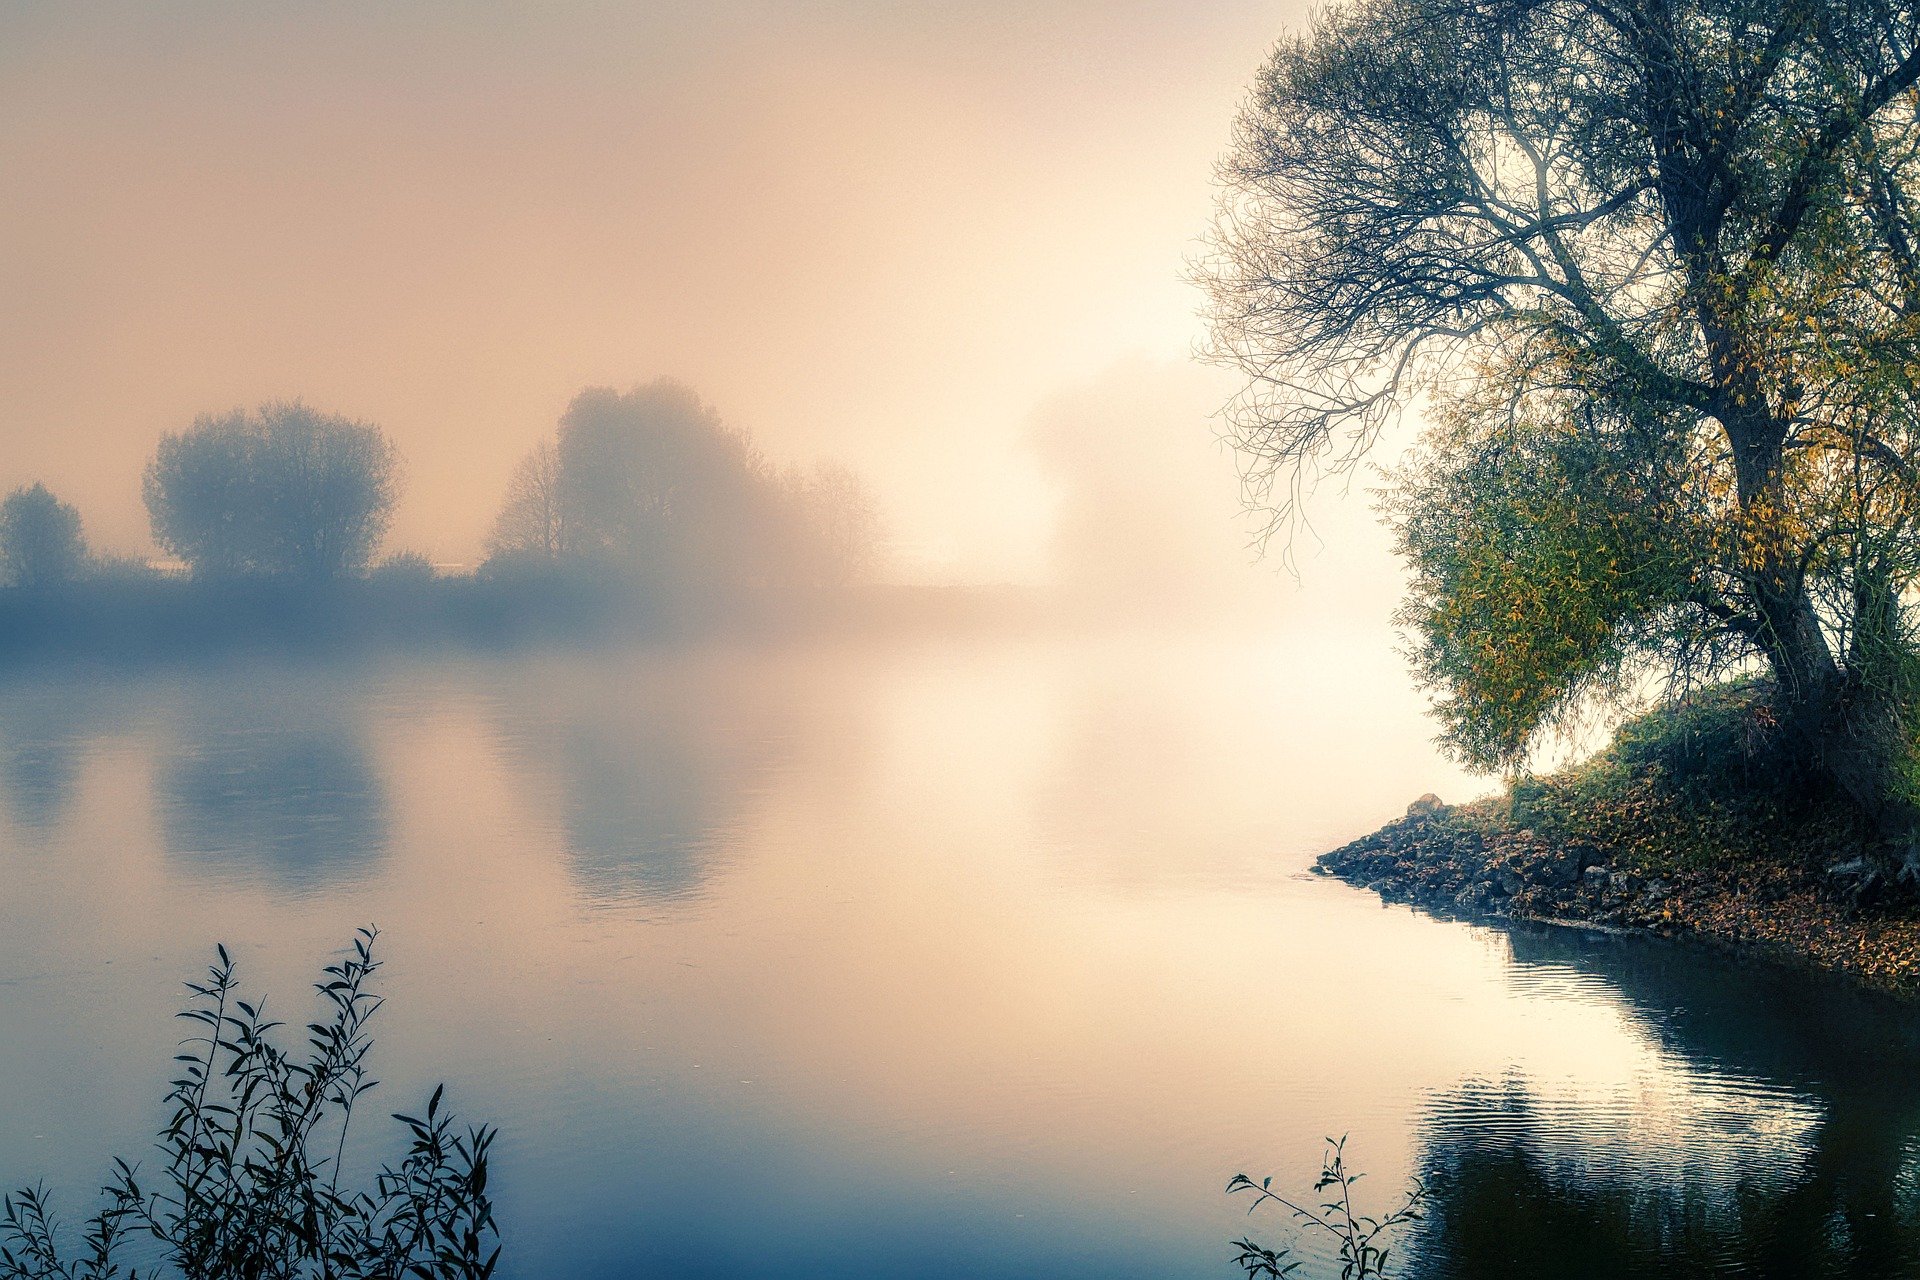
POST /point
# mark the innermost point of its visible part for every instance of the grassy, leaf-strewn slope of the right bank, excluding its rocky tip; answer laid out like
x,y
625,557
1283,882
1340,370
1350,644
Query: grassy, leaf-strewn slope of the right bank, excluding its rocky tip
x,y
1719,836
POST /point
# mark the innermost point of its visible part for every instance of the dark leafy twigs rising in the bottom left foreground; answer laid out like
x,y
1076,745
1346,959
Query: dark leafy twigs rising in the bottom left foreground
x,y
251,1187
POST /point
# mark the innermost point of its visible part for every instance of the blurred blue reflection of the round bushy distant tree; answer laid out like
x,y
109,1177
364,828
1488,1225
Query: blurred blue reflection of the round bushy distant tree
x,y
272,786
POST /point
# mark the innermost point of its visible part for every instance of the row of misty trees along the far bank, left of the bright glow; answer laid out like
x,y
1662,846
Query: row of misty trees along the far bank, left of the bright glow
x,y
644,492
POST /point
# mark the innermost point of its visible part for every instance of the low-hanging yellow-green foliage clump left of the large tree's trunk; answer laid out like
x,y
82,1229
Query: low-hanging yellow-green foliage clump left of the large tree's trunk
x,y
1543,563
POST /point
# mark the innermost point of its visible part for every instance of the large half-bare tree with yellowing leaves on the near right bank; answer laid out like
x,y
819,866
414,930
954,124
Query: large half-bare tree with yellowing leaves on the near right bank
x,y
1654,264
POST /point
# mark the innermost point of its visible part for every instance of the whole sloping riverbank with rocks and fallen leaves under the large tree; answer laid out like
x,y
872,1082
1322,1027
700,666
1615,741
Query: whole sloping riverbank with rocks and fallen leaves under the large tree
x,y
1687,826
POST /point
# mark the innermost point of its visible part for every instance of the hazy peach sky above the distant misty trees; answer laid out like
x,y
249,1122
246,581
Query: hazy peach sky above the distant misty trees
x,y
888,233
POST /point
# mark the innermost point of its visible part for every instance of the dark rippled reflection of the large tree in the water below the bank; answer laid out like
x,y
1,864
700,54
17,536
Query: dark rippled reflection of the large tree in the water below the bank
x,y
1792,1154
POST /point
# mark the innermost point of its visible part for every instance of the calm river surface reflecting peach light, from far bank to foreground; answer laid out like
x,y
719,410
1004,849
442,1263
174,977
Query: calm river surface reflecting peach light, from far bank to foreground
x,y
923,960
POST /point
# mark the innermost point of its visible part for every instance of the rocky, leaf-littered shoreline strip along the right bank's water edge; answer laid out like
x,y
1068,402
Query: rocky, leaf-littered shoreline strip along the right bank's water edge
x,y
1466,863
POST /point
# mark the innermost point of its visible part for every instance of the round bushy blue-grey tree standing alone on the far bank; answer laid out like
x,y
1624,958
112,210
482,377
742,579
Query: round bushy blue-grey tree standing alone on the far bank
x,y
285,490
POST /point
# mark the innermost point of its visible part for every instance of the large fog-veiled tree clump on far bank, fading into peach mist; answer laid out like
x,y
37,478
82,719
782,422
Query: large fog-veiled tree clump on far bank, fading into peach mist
x,y
654,485
